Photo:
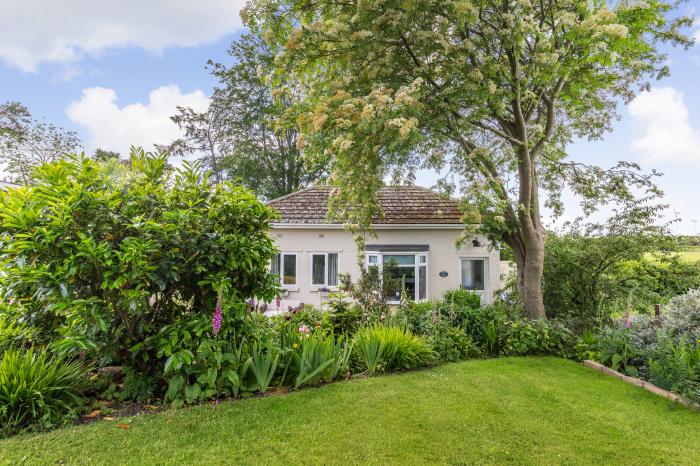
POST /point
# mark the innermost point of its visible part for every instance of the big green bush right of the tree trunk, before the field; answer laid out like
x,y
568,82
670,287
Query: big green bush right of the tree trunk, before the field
x,y
624,264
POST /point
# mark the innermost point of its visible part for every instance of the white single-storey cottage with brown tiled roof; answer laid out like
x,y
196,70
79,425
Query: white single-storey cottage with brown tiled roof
x,y
416,236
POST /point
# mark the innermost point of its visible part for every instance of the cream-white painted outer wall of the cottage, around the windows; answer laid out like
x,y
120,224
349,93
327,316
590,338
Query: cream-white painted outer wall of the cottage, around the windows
x,y
442,256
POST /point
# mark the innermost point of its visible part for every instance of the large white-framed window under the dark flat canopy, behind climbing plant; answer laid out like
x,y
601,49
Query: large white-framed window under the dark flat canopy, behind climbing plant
x,y
408,272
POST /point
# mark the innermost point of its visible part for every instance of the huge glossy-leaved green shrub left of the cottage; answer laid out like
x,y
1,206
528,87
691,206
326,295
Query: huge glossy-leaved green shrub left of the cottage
x,y
104,256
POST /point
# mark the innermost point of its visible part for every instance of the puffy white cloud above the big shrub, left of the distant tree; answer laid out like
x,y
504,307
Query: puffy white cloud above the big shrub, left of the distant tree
x,y
112,127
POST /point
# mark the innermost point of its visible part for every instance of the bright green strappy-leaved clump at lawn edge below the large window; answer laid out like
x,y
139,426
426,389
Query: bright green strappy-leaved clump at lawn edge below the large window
x,y
380,348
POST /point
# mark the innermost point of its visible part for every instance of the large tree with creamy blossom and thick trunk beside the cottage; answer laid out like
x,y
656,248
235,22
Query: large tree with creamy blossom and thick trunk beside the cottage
x,y
492,89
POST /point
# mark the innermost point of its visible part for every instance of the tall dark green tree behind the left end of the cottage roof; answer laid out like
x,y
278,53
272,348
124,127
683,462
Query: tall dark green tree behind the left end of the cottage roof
x,y
244,134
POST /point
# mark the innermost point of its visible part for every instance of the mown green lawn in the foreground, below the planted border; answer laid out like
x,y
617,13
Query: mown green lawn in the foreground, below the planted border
x,y
510,410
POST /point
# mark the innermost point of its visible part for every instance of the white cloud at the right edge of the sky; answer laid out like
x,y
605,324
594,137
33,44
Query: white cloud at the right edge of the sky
x,y
665,133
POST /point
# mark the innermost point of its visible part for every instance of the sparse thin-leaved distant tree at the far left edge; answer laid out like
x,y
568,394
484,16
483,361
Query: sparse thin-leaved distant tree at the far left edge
x,y
26,143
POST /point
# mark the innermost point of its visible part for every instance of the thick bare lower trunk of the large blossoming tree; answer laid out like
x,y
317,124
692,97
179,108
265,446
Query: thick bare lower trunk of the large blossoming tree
x,y
530,261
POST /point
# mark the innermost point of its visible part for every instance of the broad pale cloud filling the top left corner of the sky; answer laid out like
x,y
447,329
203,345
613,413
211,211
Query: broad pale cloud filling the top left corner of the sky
x,y
40,31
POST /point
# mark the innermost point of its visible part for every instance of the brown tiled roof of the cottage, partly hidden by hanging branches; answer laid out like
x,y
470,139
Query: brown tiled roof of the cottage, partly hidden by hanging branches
x,y
399,204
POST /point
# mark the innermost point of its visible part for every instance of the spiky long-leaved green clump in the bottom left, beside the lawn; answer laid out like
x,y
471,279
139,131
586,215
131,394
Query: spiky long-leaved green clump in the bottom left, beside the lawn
x,y
37,390
